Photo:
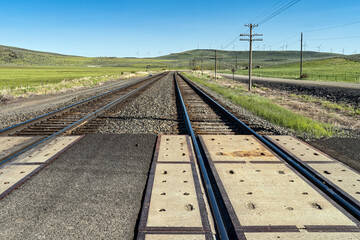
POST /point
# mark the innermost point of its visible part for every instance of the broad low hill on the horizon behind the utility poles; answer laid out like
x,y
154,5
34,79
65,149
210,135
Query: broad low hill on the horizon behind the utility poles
x,y
227,59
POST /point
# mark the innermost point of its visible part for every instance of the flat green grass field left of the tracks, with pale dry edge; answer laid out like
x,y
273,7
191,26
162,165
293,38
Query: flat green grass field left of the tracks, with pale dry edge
x,y
24,80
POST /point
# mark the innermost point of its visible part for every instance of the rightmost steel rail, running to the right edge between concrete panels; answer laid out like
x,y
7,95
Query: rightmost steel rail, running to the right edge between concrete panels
x,y
320,182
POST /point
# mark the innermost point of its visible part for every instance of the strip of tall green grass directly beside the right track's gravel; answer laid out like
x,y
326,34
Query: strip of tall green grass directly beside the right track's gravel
x,y
269,111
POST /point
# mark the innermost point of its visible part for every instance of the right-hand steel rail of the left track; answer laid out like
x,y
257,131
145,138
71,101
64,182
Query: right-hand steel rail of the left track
x,y
82,120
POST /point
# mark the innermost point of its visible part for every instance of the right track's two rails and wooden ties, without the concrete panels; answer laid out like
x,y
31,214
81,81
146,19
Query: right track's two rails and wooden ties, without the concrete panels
x,y
204,116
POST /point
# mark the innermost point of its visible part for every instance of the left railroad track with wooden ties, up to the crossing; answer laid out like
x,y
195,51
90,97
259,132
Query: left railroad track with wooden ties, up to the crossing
x,y
76,119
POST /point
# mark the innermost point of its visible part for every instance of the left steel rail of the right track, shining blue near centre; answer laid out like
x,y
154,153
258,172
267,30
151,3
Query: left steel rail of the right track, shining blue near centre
x,y
220,225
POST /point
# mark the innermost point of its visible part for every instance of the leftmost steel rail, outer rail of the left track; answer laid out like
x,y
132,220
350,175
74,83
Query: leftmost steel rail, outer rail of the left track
x,y
75,104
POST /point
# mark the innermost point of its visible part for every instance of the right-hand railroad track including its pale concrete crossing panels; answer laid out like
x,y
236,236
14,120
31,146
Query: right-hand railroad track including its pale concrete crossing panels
x,y
220,144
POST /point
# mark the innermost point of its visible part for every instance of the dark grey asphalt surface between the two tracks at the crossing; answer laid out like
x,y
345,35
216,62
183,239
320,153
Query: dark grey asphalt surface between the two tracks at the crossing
x,y
93,191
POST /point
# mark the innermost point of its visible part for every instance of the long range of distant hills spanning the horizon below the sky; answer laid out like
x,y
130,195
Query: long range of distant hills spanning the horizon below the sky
x,y
227,59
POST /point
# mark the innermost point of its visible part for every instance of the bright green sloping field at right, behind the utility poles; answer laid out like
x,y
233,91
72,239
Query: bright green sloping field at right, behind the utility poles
x,y
334,70
